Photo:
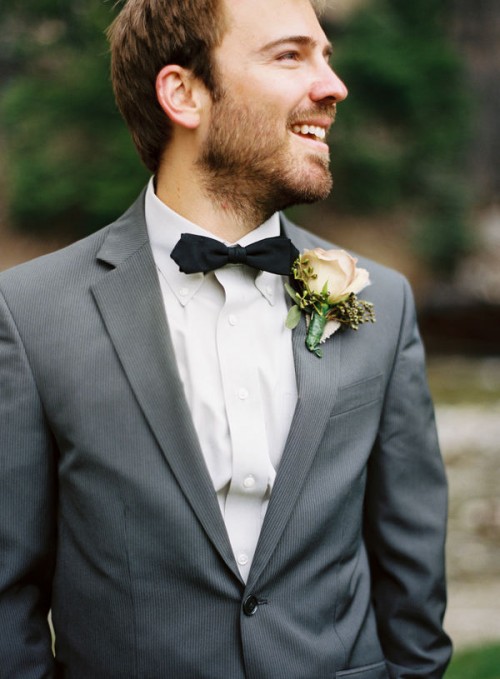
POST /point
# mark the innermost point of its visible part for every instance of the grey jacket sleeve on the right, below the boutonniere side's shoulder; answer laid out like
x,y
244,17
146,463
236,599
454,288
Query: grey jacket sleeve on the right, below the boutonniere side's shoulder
x,y
405,518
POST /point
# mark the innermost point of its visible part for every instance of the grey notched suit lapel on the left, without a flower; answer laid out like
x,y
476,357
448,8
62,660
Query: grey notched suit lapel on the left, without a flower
x,y
131,305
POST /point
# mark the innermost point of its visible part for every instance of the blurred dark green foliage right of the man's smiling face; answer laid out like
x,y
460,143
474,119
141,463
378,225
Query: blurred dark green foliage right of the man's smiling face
x,y
400,136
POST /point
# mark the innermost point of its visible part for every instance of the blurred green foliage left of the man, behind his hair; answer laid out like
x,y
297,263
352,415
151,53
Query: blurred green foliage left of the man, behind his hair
x,y
70,165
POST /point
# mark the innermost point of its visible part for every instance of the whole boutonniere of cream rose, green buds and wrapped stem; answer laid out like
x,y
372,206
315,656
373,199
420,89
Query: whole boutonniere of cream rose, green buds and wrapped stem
x,y
324,287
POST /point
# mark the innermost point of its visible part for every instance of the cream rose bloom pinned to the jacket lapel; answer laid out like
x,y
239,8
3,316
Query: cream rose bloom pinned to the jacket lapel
x,y
338,270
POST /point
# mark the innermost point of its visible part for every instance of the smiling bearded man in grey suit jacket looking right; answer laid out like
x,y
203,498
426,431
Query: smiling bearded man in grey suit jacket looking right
x,y
191,491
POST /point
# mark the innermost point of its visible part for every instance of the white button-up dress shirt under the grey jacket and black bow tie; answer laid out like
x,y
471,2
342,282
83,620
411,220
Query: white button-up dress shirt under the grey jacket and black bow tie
x,y
234,356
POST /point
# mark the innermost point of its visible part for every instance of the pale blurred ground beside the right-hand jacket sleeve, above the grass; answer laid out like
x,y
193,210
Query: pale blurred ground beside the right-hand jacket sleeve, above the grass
x,y
468,415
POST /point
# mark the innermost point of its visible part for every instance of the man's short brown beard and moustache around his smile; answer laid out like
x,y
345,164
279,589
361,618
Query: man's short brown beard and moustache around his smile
x,y
248,164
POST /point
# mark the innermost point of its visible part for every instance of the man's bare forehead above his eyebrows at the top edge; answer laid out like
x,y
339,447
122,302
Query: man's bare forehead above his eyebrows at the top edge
x,y
251,24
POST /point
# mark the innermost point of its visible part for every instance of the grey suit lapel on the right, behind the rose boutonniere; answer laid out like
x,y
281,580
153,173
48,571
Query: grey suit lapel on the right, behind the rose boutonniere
x,y
317,385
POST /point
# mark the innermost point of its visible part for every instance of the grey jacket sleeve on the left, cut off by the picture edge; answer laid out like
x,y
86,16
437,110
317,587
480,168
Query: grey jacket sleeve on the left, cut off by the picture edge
x,y
27,515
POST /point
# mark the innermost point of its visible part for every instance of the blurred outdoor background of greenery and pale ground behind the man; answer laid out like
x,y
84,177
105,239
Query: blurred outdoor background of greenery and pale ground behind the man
x,y
417,186
